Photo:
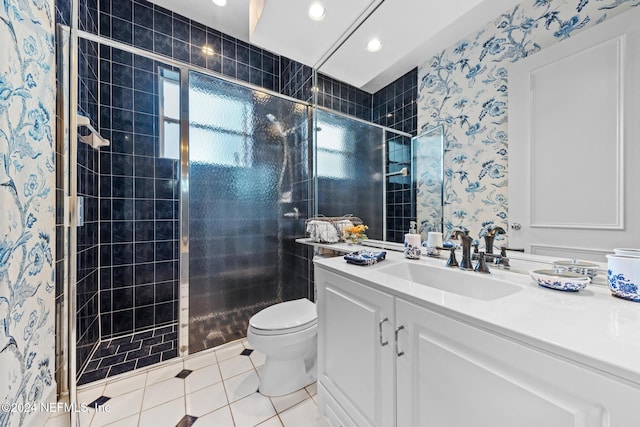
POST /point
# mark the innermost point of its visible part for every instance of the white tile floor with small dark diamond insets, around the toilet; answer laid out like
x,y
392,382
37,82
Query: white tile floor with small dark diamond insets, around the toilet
x,y
217,389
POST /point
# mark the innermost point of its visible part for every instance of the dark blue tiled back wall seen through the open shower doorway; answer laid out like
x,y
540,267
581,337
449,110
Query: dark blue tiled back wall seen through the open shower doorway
x,y
139,205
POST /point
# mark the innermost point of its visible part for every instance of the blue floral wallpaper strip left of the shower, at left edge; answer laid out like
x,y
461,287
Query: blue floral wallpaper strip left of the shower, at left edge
x,y
27,205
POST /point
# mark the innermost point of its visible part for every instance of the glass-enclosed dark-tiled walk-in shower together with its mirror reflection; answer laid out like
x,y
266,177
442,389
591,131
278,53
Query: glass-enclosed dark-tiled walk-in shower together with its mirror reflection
x,y
192,212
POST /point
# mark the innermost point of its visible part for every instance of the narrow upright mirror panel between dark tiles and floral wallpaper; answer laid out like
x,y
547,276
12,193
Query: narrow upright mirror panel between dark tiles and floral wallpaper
x,y
428,184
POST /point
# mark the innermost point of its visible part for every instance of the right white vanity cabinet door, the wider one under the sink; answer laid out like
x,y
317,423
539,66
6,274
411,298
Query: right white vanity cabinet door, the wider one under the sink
x,y
453,374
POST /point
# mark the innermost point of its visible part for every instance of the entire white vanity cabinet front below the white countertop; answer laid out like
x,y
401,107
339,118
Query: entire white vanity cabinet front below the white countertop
x,y
445,372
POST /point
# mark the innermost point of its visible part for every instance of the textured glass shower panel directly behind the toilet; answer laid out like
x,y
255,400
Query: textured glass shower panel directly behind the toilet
x,y
248,167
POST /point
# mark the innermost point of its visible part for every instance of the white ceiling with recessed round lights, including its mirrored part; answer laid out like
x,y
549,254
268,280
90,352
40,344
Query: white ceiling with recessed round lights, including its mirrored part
x,y
411,31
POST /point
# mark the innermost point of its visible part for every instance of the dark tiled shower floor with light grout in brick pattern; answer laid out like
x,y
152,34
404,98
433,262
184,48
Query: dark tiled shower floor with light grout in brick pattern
x,y
135,351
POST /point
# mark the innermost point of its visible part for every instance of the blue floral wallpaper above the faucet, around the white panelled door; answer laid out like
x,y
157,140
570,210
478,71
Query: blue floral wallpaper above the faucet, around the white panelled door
x,y
465,88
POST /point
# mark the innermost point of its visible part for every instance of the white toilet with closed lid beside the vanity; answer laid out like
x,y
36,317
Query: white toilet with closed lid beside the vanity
x,y
287,333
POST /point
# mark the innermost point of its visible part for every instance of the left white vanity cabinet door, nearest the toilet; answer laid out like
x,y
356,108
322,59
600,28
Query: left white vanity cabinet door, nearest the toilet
x,y
355,351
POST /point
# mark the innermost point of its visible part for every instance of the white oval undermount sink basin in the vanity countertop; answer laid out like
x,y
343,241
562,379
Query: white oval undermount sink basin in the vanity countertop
x,y
475,285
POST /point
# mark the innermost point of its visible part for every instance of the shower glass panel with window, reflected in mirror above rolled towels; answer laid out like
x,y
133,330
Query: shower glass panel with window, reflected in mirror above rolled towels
x,y
349,170
